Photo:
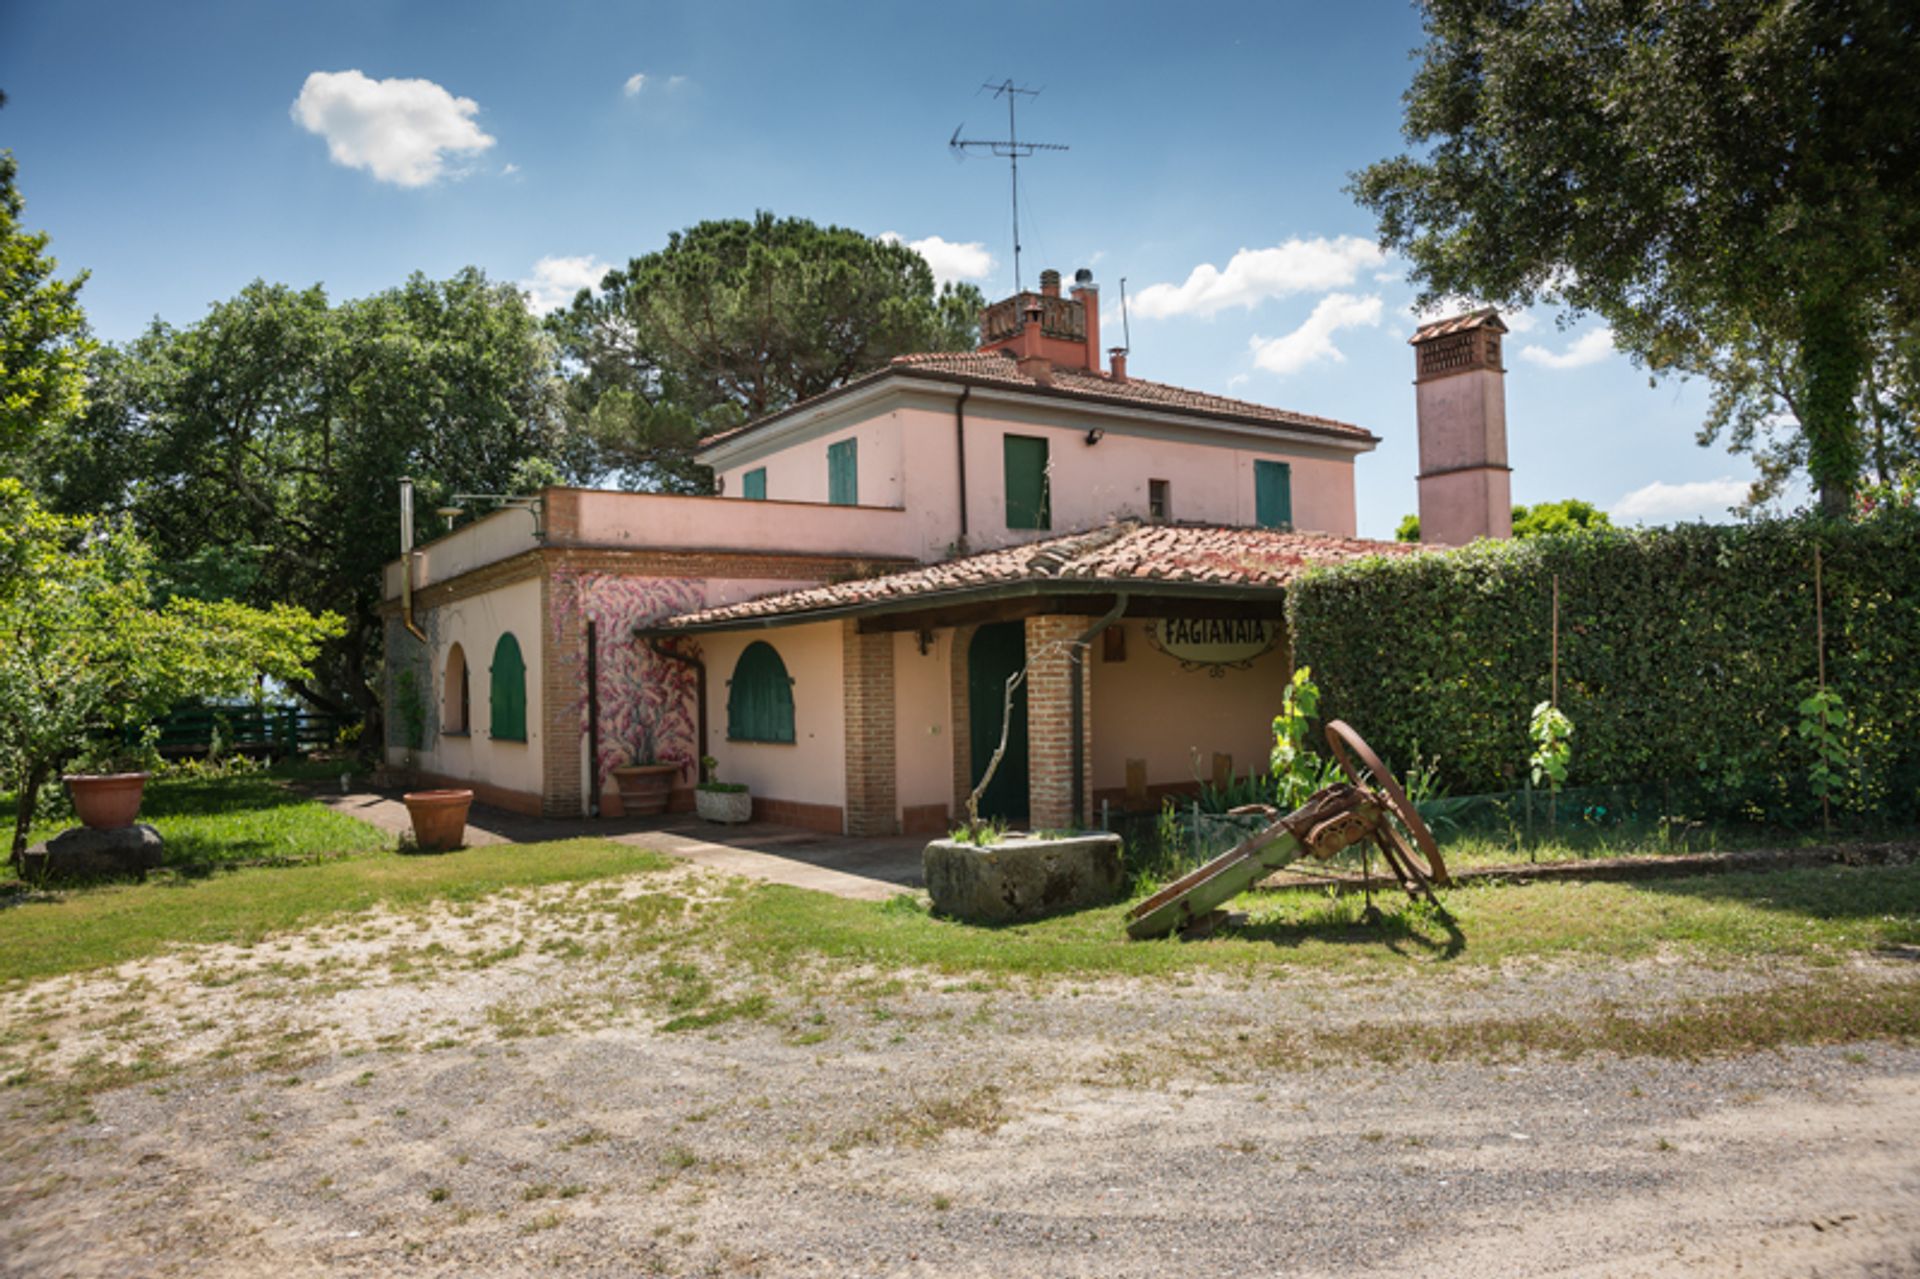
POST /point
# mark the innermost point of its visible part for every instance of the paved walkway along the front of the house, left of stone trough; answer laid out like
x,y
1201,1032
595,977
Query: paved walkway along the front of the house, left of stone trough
x,y
840,865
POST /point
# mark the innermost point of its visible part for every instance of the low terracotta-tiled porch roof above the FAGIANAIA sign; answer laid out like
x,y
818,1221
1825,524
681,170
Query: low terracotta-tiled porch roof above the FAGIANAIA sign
x,y
1143,560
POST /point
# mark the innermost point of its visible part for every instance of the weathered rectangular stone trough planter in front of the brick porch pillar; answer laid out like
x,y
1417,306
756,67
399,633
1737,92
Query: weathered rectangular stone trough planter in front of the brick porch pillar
x,y
1022,879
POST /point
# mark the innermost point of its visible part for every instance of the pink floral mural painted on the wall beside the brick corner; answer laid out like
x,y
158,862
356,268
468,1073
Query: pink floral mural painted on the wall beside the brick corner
x,y
640,692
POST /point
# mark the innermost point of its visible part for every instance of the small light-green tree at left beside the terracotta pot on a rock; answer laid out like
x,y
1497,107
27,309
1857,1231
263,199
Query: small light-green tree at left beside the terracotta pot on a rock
x,y
89,650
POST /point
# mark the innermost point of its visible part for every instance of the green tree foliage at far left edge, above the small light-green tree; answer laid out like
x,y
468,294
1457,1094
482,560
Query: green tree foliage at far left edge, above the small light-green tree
x,y
43,331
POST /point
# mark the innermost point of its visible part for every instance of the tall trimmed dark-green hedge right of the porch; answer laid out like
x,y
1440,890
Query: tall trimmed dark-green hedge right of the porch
x,y
1685,656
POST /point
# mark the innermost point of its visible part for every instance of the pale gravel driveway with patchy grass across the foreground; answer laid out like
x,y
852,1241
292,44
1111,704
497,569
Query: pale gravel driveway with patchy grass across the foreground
x,y
475,1092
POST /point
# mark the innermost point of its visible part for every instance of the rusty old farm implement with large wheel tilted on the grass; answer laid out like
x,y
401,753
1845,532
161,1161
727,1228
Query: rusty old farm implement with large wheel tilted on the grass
x,y
1370,806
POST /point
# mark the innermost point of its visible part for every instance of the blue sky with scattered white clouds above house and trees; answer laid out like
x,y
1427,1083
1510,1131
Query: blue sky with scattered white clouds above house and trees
x,y
180,151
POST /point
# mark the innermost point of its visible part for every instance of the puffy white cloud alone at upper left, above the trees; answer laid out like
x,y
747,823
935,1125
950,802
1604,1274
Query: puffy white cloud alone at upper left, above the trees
x,y
400,132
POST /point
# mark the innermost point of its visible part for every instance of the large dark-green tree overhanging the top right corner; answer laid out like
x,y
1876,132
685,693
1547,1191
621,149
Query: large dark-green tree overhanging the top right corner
x,y
1731,185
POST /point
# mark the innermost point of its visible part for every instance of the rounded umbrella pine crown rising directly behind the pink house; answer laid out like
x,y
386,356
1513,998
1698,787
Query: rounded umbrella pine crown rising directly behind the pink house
x,y
736,320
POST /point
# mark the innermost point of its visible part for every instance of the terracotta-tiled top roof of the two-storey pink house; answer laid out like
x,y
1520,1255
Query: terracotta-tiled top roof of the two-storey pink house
x,y
1001,370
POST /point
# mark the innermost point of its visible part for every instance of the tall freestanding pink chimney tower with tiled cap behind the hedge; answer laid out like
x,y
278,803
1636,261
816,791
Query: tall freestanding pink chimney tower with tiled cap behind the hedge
x,y
1462,395
